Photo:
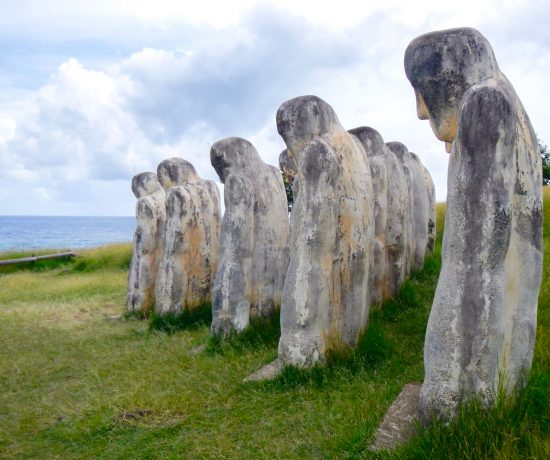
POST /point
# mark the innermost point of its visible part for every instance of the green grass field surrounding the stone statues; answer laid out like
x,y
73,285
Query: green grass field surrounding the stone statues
x,y
79,380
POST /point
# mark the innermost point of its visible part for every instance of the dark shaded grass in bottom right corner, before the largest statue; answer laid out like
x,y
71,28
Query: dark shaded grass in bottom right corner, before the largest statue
x,y
514,428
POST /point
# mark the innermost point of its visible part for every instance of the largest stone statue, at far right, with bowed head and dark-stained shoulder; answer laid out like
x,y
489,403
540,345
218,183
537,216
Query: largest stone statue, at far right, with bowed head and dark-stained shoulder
x,y
481,330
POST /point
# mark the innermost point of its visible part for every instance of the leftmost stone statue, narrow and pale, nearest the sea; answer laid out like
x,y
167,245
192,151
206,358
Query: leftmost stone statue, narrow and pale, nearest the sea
x,y
150,216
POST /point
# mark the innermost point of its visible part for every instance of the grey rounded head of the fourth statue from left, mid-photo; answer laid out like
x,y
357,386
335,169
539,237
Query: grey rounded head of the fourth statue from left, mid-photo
x,y
304,118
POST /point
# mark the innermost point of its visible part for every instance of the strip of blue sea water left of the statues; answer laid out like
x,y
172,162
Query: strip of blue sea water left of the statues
x,y
58,232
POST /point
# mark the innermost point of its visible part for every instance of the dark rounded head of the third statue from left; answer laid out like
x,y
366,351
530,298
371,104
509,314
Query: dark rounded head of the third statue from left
x,y
232,154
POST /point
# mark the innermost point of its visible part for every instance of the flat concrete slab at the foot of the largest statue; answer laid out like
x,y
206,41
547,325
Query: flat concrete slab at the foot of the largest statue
x,y
400,420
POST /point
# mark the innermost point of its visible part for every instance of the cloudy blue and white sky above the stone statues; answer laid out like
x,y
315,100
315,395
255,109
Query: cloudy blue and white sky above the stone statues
x,y
94,92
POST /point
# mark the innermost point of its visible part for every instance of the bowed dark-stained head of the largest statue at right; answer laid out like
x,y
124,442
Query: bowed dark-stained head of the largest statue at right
x,y
441,67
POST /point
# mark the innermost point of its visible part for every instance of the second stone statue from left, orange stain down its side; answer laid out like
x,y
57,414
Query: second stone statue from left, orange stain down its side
x,y
190,238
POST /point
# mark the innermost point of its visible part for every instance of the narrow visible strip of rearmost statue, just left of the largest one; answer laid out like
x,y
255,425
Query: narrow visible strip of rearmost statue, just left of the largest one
x,y
420,204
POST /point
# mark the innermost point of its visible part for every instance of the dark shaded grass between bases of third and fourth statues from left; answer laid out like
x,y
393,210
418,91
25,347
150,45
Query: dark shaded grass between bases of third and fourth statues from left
x,y
260,333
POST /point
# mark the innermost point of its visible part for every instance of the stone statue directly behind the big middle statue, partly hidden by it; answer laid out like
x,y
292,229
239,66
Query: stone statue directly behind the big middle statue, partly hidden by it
x,y
391,209
